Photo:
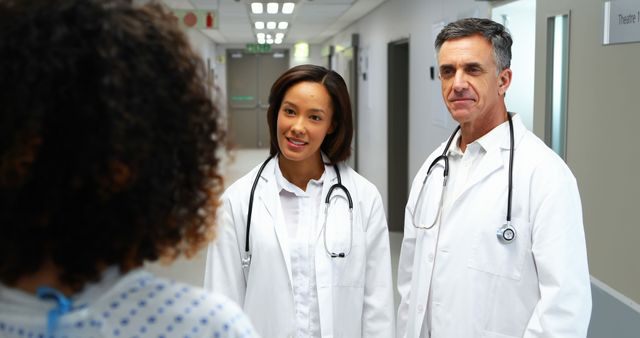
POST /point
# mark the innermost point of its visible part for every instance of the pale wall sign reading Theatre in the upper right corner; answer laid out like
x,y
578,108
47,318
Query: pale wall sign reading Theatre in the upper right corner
x,y
621,21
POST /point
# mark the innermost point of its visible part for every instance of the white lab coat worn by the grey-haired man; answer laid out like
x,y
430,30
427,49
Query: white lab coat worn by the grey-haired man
x,y
536,286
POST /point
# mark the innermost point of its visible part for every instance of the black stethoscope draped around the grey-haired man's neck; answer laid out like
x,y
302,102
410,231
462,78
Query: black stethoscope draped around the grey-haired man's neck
x,y
505,233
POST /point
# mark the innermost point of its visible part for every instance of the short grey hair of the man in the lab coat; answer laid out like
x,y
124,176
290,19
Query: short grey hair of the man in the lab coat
x,y
493,32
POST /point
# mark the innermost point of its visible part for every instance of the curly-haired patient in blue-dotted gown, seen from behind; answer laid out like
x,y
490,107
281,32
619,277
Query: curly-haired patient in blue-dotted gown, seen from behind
x,y
107,159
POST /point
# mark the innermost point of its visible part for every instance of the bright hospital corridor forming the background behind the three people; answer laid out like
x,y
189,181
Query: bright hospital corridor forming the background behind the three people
x,y
572,86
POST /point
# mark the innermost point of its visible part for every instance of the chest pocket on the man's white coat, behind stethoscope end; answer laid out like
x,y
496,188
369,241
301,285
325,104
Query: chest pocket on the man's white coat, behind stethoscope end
x,y
489,254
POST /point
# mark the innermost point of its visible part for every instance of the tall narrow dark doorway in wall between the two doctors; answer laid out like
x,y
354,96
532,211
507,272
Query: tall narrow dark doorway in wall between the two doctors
x,y
398,132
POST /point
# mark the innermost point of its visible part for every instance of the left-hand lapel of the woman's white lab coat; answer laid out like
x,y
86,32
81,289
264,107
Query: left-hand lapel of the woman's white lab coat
x,y
270,198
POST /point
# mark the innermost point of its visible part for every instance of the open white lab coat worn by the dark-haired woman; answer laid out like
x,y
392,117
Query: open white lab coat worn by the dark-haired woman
x,y
355,294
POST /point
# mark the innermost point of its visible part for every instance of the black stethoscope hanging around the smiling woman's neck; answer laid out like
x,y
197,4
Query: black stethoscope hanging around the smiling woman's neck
x,y
246,257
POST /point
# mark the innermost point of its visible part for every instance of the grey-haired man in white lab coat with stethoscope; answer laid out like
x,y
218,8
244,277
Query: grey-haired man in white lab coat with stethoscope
x,y
464,270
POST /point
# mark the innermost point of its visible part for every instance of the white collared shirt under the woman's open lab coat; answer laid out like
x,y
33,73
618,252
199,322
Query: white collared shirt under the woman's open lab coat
x,y
301,211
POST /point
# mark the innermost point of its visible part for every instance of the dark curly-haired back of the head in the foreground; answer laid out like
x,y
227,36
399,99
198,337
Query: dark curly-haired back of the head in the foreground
x,y
107,139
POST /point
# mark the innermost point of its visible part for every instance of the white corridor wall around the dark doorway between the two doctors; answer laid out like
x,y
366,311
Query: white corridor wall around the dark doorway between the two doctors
x,y
391,21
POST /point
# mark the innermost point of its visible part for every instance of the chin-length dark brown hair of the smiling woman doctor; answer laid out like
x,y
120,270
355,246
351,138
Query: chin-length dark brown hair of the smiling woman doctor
x,y
337,145
